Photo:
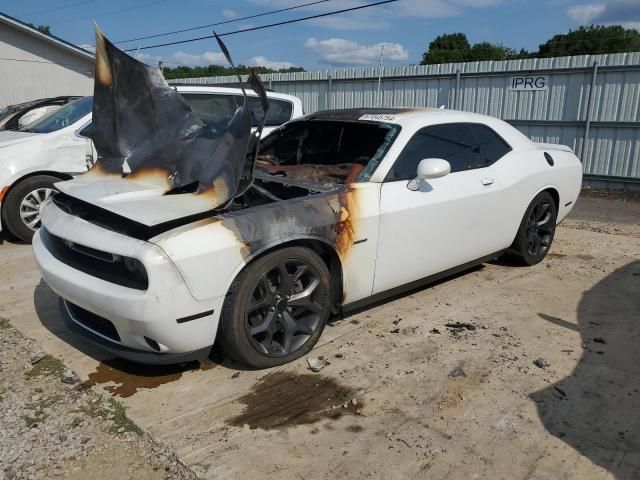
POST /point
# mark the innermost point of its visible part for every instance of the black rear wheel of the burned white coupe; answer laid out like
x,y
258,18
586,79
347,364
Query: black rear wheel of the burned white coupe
x,y
536,231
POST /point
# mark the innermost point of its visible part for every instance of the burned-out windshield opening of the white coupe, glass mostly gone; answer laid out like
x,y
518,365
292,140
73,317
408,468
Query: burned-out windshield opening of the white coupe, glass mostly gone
x,y
327,150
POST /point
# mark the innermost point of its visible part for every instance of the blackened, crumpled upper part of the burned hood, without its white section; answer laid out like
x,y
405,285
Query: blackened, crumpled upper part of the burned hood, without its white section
x,y
141,121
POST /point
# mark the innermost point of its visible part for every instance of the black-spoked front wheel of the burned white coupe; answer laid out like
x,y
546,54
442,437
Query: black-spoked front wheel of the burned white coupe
x,y
277,308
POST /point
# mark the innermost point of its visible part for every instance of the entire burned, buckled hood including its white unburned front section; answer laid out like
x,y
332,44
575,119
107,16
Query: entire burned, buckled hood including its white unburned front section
x,y
157,161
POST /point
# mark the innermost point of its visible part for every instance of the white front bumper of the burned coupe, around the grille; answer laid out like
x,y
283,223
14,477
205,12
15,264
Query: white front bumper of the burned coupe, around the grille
x,y
162,324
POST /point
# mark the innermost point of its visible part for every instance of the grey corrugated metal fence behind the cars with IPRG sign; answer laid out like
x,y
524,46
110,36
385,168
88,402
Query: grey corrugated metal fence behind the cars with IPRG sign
x,y
591,102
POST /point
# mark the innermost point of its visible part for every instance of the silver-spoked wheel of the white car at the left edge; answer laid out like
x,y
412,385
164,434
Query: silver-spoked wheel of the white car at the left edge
x,y
20,211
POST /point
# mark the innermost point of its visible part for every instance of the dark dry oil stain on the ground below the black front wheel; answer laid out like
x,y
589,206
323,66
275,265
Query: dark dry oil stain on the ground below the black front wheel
x,y
284,399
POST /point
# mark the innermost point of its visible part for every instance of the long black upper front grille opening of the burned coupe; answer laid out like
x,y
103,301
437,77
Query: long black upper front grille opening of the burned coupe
x,y
125,271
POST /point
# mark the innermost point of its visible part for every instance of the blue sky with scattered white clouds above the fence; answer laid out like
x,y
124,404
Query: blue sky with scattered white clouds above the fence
x,y
405,27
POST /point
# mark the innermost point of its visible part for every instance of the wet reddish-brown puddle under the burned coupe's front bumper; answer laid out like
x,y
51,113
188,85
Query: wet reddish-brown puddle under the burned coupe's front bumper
x,y
128,377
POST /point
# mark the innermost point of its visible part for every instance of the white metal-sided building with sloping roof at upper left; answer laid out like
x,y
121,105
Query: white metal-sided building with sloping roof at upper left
x,y
35,65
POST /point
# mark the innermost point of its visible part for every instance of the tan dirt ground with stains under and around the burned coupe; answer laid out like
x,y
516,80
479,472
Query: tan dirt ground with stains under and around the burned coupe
x,y
437,383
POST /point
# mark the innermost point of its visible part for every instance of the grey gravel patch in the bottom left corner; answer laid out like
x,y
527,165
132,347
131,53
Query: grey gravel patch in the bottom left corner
x,y
54,426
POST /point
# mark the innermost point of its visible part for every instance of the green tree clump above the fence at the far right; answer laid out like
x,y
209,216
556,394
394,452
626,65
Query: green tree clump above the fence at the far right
x,y
594,39
